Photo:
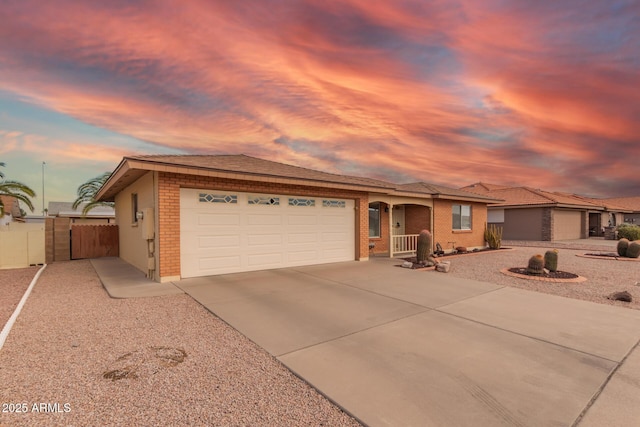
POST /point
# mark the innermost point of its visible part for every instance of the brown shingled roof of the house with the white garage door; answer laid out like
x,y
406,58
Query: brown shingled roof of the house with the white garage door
x,y
251,168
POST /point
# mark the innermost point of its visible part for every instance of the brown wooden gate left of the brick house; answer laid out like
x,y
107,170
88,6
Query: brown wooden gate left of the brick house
x,y
94,241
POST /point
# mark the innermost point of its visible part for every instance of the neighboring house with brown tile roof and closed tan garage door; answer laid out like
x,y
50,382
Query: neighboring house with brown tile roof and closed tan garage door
x,y
530,214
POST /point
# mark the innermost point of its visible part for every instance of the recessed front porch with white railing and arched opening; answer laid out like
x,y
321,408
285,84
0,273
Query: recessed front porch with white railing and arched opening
x,y
394,227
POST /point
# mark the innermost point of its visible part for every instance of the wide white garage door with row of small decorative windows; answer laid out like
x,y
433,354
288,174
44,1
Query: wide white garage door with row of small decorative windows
x,y
227,232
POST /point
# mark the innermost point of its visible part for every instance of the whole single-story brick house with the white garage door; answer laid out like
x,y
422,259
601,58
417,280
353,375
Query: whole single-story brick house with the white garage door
x,y
187,216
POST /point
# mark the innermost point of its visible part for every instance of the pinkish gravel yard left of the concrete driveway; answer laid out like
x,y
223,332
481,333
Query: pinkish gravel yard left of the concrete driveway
x,y
77,357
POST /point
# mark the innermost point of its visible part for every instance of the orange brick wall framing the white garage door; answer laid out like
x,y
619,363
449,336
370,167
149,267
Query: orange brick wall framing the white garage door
x,y
169,185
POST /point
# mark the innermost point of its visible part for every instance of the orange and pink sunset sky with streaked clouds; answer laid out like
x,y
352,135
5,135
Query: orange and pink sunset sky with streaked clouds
x,y
537,93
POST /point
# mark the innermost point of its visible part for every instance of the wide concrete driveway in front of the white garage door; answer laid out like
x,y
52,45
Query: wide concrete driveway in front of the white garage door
x,y
399,347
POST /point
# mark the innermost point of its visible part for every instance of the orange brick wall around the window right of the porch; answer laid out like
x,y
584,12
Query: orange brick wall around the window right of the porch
x,y
443,232
